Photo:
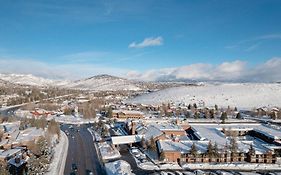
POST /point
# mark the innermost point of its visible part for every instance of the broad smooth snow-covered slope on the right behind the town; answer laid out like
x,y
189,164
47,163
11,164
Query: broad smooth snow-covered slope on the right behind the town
x,y
241,95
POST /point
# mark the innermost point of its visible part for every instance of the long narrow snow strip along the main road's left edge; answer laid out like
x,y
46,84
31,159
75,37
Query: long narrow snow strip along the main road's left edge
x,y
58,163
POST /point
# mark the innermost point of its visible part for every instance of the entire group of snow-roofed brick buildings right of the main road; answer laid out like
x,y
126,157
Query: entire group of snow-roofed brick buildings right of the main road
x,y
182,142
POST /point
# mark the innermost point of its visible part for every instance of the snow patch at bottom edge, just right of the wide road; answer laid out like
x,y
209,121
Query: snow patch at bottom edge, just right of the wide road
x,y
119,167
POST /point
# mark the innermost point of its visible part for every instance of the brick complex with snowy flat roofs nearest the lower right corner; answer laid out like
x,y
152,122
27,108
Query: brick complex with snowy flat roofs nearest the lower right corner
x,y
255,143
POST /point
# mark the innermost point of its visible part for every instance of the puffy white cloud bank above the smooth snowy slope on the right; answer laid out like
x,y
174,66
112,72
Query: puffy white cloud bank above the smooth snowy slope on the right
x,y
236,71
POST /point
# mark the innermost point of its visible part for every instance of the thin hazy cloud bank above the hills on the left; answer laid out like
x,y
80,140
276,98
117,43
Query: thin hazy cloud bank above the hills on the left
x,y
59,71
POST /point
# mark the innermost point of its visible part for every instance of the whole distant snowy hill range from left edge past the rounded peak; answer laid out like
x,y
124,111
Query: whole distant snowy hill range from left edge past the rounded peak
x,y
95,83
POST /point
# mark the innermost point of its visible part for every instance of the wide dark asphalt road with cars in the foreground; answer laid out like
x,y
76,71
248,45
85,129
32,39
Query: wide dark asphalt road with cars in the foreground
x,y
81,151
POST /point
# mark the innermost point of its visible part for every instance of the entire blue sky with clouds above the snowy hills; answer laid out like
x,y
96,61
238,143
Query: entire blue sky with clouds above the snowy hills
x,y
142,39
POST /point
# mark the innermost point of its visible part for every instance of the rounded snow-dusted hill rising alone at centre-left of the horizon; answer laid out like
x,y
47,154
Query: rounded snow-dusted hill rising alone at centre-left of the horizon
x,y
104,83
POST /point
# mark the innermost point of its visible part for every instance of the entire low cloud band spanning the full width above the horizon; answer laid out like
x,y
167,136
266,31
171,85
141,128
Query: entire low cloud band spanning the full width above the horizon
x,y
236,71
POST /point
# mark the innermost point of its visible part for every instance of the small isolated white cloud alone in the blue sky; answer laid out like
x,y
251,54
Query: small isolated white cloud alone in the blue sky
x,y
147,42
